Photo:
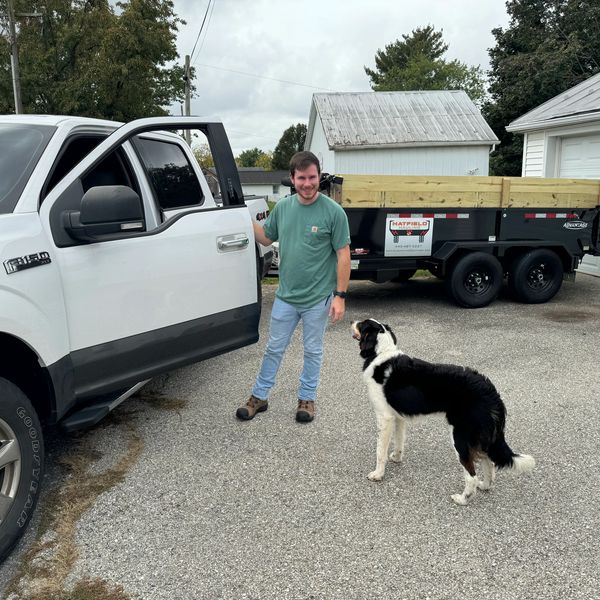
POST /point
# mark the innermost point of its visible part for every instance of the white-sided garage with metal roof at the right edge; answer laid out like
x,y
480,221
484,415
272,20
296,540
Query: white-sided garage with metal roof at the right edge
x,y
562,139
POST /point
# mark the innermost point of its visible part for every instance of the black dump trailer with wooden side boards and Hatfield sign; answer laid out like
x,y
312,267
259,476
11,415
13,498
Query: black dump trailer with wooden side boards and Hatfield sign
x,y
473,232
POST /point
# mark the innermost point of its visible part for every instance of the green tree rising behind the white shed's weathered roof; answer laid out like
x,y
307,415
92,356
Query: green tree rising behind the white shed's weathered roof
x,y
415,63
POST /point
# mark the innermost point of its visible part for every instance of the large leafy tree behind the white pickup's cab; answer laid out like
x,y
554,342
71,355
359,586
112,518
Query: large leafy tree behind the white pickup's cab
x,y
82,58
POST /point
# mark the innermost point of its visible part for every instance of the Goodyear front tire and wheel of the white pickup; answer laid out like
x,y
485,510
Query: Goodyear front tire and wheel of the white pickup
x,y
21,463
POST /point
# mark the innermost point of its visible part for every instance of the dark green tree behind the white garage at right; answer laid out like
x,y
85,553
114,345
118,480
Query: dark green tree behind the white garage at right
x,y
548,47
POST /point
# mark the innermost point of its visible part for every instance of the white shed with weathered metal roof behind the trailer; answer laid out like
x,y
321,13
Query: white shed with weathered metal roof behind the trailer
x,y
399,133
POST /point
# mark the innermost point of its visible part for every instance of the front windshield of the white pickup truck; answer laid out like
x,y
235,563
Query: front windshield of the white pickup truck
x,y
21,146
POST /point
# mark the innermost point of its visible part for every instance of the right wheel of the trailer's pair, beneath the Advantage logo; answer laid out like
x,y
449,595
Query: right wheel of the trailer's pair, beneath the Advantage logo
x,y
536,276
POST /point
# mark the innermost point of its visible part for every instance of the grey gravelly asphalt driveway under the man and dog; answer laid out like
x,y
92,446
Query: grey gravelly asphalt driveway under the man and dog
x,y
271,509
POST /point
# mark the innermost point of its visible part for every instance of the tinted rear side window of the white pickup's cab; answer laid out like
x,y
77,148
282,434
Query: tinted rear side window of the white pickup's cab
x,y
173,179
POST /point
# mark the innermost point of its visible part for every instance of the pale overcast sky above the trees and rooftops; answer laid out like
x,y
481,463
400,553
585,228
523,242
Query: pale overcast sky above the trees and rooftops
x,y
258,62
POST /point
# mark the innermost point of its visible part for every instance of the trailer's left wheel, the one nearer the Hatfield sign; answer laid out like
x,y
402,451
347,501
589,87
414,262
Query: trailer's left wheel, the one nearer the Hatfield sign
x,y
475,280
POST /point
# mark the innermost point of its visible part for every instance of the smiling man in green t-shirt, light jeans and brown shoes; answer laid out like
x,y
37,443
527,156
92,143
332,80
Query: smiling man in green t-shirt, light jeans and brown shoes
x,y
314,270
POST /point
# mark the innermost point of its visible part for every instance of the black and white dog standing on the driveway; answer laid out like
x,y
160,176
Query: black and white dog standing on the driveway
x,y
401,387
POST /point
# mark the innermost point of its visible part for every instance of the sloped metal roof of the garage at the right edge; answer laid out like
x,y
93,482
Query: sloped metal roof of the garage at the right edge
x,y
578,104
